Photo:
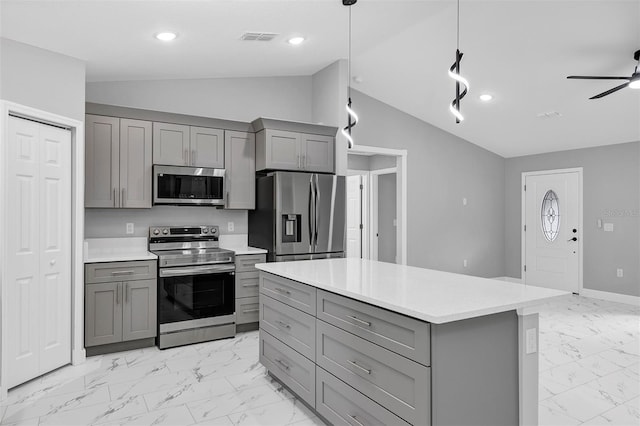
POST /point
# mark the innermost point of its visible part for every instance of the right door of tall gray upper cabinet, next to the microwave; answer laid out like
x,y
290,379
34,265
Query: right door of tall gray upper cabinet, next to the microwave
x,y
135,163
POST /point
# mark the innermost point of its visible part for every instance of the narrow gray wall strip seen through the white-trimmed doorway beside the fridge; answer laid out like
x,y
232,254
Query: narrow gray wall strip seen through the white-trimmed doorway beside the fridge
x,y
386,214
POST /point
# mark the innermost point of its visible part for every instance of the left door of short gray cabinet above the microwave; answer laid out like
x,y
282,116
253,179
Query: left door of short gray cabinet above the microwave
x,y
171,144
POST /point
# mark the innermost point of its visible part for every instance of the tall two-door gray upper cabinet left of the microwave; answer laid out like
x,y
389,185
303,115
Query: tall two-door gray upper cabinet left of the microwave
x,y
118,162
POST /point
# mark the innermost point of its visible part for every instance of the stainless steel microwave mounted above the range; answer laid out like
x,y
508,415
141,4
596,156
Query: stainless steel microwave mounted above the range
x,y
189,186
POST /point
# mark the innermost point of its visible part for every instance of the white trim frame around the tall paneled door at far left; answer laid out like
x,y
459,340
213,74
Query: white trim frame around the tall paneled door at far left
x,y
78,354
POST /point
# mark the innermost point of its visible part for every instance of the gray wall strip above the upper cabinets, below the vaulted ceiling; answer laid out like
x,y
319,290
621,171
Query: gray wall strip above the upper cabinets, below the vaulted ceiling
x,y
240,99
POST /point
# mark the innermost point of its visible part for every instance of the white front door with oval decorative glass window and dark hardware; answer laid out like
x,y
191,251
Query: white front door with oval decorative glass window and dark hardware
x,y
552,230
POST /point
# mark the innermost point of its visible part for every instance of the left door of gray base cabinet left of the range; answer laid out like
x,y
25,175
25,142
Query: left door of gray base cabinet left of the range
x,y
103,313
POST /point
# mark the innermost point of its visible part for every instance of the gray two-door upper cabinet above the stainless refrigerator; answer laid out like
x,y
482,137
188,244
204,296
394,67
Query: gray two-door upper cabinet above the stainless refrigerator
x,y
287,150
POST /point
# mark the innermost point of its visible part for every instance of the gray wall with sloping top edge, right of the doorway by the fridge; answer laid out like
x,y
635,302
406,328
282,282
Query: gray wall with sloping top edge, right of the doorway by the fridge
x,y
442,170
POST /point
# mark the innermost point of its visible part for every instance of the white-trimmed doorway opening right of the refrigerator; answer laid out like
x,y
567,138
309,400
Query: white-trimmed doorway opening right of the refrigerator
x,y
376,204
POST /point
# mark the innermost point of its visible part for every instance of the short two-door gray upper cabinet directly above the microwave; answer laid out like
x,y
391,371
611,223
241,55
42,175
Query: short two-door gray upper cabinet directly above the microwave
x,y
179,145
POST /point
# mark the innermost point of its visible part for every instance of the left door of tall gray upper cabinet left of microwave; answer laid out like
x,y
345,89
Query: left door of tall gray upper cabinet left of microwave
x,y
102,144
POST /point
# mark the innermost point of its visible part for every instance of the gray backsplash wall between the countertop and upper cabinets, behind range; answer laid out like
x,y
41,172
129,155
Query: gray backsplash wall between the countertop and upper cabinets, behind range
x,y
104,223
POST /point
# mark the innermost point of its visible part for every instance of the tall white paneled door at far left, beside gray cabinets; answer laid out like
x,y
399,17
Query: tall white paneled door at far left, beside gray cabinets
x,y
38,180
